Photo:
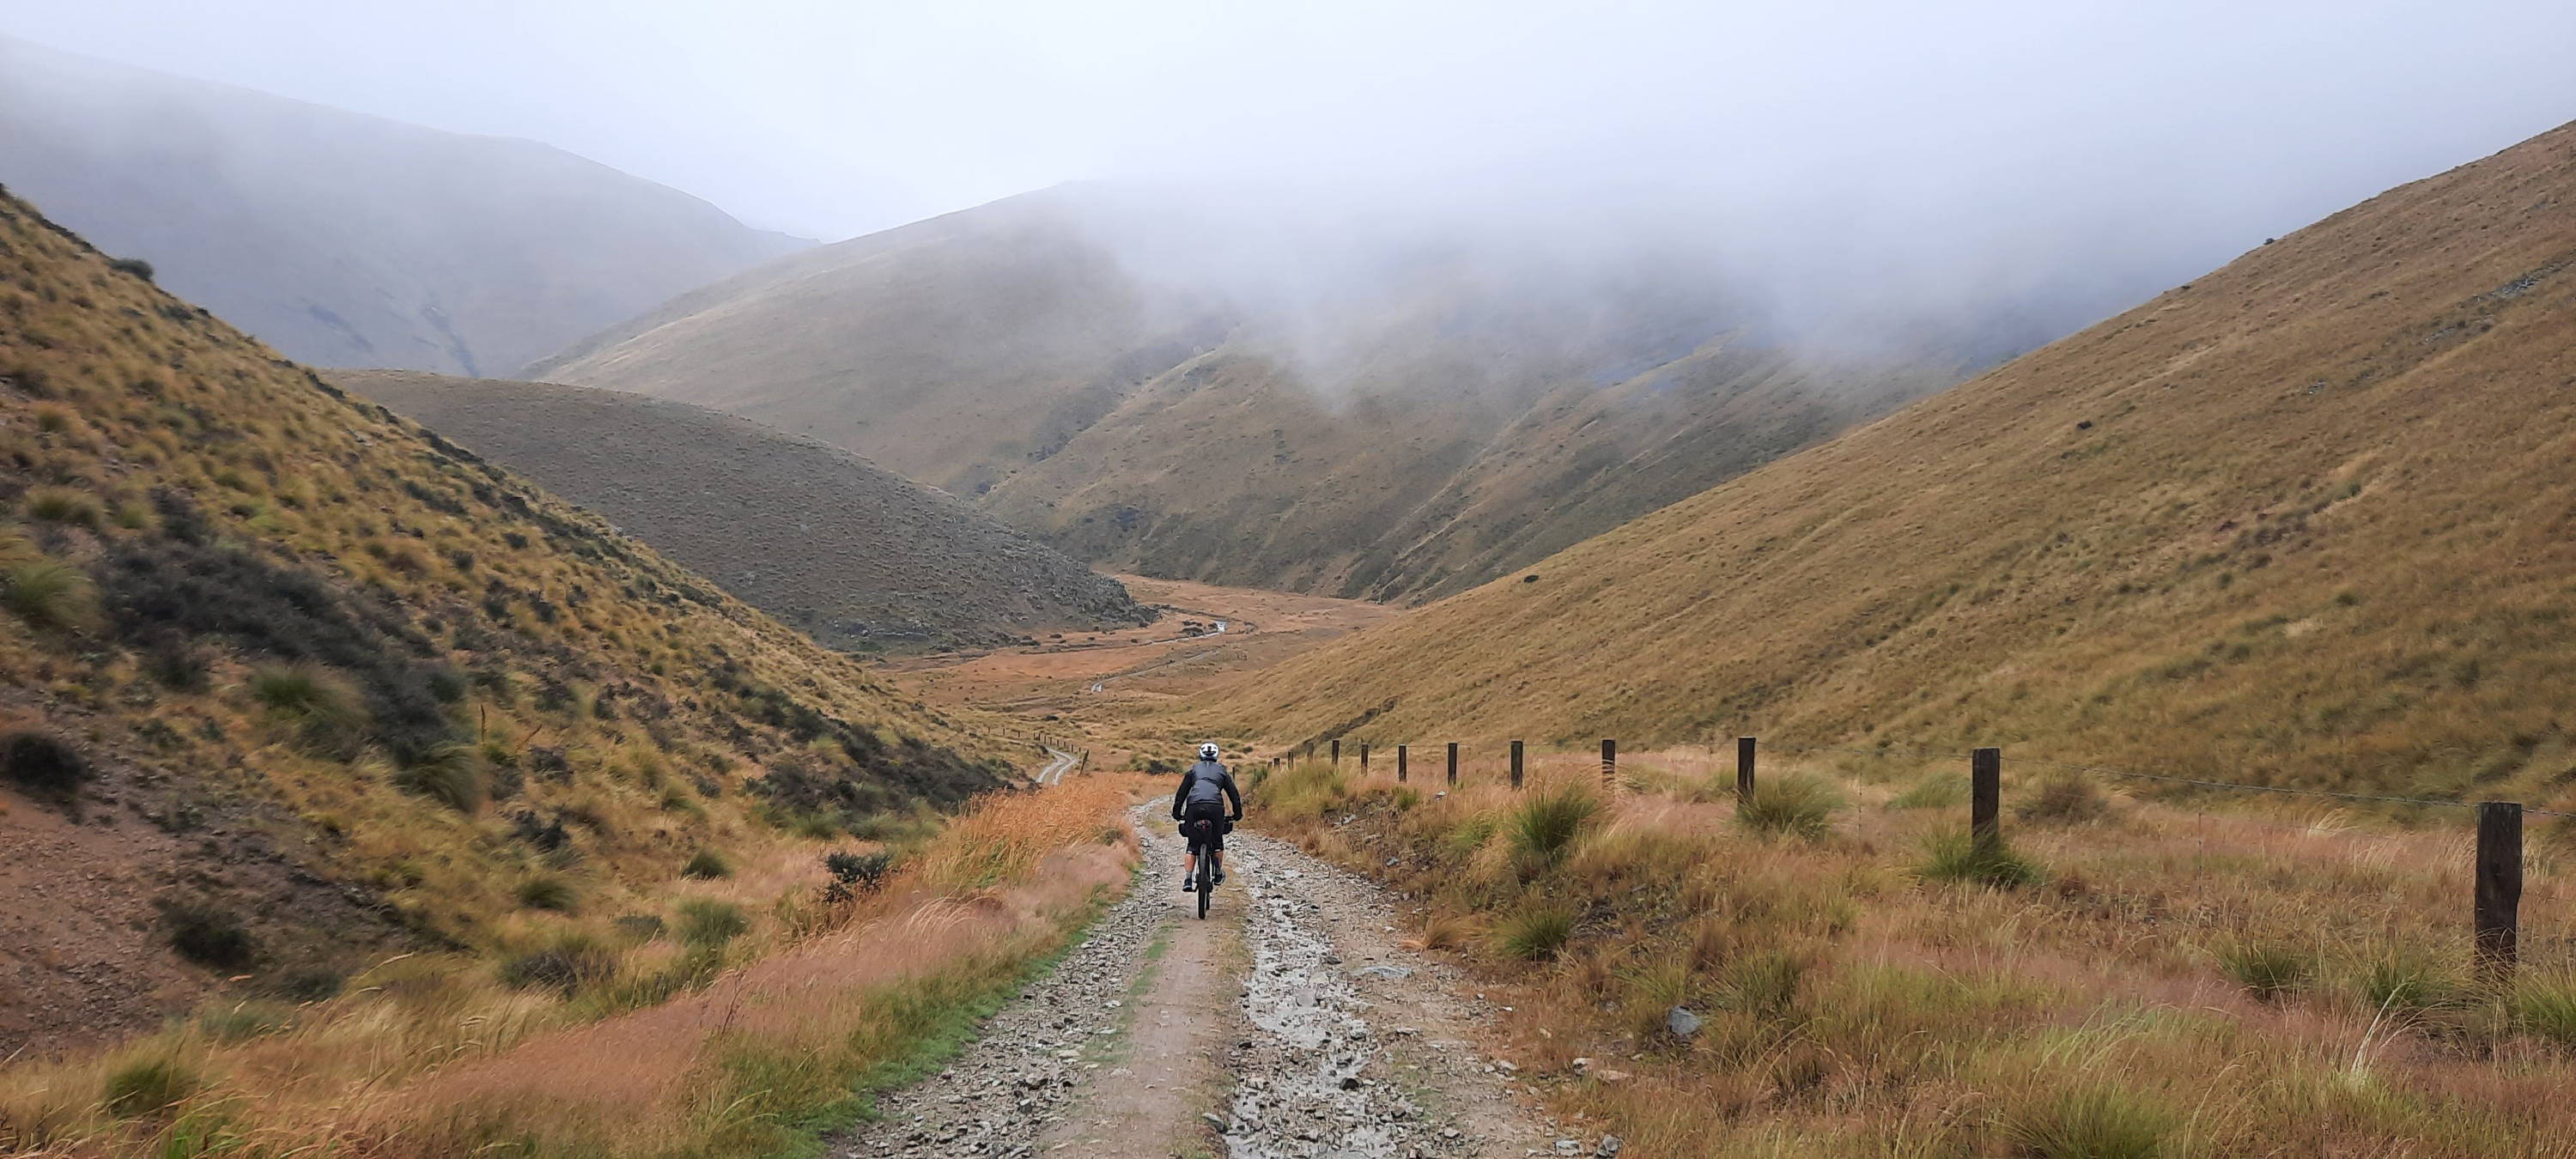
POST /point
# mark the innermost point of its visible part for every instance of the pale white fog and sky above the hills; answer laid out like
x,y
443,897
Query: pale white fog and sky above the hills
x,y
1866,169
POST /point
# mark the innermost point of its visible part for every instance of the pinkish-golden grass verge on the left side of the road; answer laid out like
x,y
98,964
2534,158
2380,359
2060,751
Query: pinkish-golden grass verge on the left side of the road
x,y
434,1060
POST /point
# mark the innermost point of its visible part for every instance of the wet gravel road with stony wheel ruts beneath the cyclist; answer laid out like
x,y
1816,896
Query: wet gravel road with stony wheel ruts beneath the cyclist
x,y
1289,1026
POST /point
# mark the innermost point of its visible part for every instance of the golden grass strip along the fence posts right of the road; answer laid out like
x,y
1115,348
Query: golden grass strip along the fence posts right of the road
x,y
1856,1008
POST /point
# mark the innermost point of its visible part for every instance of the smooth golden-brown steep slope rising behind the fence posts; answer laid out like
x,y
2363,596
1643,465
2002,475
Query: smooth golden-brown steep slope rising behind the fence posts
x,y
2307,519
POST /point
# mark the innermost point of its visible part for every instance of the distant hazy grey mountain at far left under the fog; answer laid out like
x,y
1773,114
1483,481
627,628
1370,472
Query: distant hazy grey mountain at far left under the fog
x,y
352,241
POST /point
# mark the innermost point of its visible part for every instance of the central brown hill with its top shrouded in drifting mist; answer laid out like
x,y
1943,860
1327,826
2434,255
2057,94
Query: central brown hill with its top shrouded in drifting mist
x,y
1400,434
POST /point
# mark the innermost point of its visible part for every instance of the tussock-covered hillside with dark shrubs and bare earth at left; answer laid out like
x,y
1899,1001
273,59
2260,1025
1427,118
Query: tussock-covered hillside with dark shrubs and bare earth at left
x,y
290,684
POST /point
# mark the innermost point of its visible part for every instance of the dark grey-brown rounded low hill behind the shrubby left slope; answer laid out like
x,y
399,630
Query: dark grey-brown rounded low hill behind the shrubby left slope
x,y
818,537
